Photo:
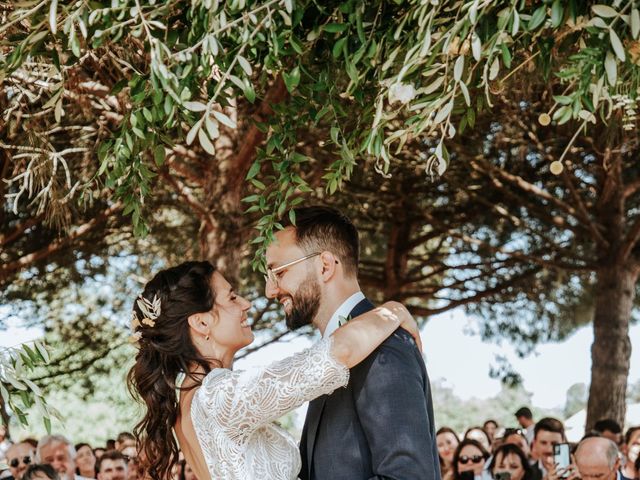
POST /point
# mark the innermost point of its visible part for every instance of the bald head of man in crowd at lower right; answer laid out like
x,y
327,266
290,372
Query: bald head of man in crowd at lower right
x,y
597,459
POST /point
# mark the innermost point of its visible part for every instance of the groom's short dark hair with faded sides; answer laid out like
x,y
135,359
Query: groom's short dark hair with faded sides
x,y
320,228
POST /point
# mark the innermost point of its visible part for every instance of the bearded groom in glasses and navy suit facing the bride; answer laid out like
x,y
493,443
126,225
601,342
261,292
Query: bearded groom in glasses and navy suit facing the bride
x,y
380,426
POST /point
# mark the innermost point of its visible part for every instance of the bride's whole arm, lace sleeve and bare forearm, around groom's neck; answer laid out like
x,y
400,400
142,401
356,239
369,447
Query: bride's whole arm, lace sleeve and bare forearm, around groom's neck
x,y
241,401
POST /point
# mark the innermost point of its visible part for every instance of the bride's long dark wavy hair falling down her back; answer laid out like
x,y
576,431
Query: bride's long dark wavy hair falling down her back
x,y
166,349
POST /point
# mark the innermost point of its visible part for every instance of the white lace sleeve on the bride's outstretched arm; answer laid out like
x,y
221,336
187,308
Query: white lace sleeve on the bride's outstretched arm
x,y
241,401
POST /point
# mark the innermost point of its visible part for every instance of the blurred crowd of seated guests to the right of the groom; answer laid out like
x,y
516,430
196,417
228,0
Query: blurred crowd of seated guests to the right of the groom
x,y
527,451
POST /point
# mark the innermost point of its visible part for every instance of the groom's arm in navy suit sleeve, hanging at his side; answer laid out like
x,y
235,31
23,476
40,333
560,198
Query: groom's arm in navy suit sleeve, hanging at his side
x,y
389,394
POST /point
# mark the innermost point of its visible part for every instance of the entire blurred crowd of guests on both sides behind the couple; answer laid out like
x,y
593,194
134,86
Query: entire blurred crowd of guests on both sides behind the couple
x,y
490,452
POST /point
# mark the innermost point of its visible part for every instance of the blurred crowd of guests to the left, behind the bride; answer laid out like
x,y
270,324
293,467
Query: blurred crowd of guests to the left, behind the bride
x,y
55,457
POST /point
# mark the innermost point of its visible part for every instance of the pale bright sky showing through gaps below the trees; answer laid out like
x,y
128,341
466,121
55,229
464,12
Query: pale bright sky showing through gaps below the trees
x,y
449,342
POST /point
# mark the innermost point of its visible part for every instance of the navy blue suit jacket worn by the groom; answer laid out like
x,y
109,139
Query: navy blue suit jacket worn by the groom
x,y
380,426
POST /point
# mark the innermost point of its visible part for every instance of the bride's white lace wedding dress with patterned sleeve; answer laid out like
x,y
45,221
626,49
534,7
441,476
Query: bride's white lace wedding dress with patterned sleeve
x,y
232,413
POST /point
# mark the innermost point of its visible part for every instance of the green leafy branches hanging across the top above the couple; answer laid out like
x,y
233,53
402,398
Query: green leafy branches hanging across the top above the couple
x,y
411,70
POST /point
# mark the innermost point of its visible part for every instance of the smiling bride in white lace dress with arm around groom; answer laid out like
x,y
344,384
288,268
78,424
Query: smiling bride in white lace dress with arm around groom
x,y
189,324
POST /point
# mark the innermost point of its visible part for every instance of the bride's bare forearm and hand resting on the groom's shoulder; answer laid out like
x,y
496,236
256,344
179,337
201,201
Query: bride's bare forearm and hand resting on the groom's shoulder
x,y
355,340
